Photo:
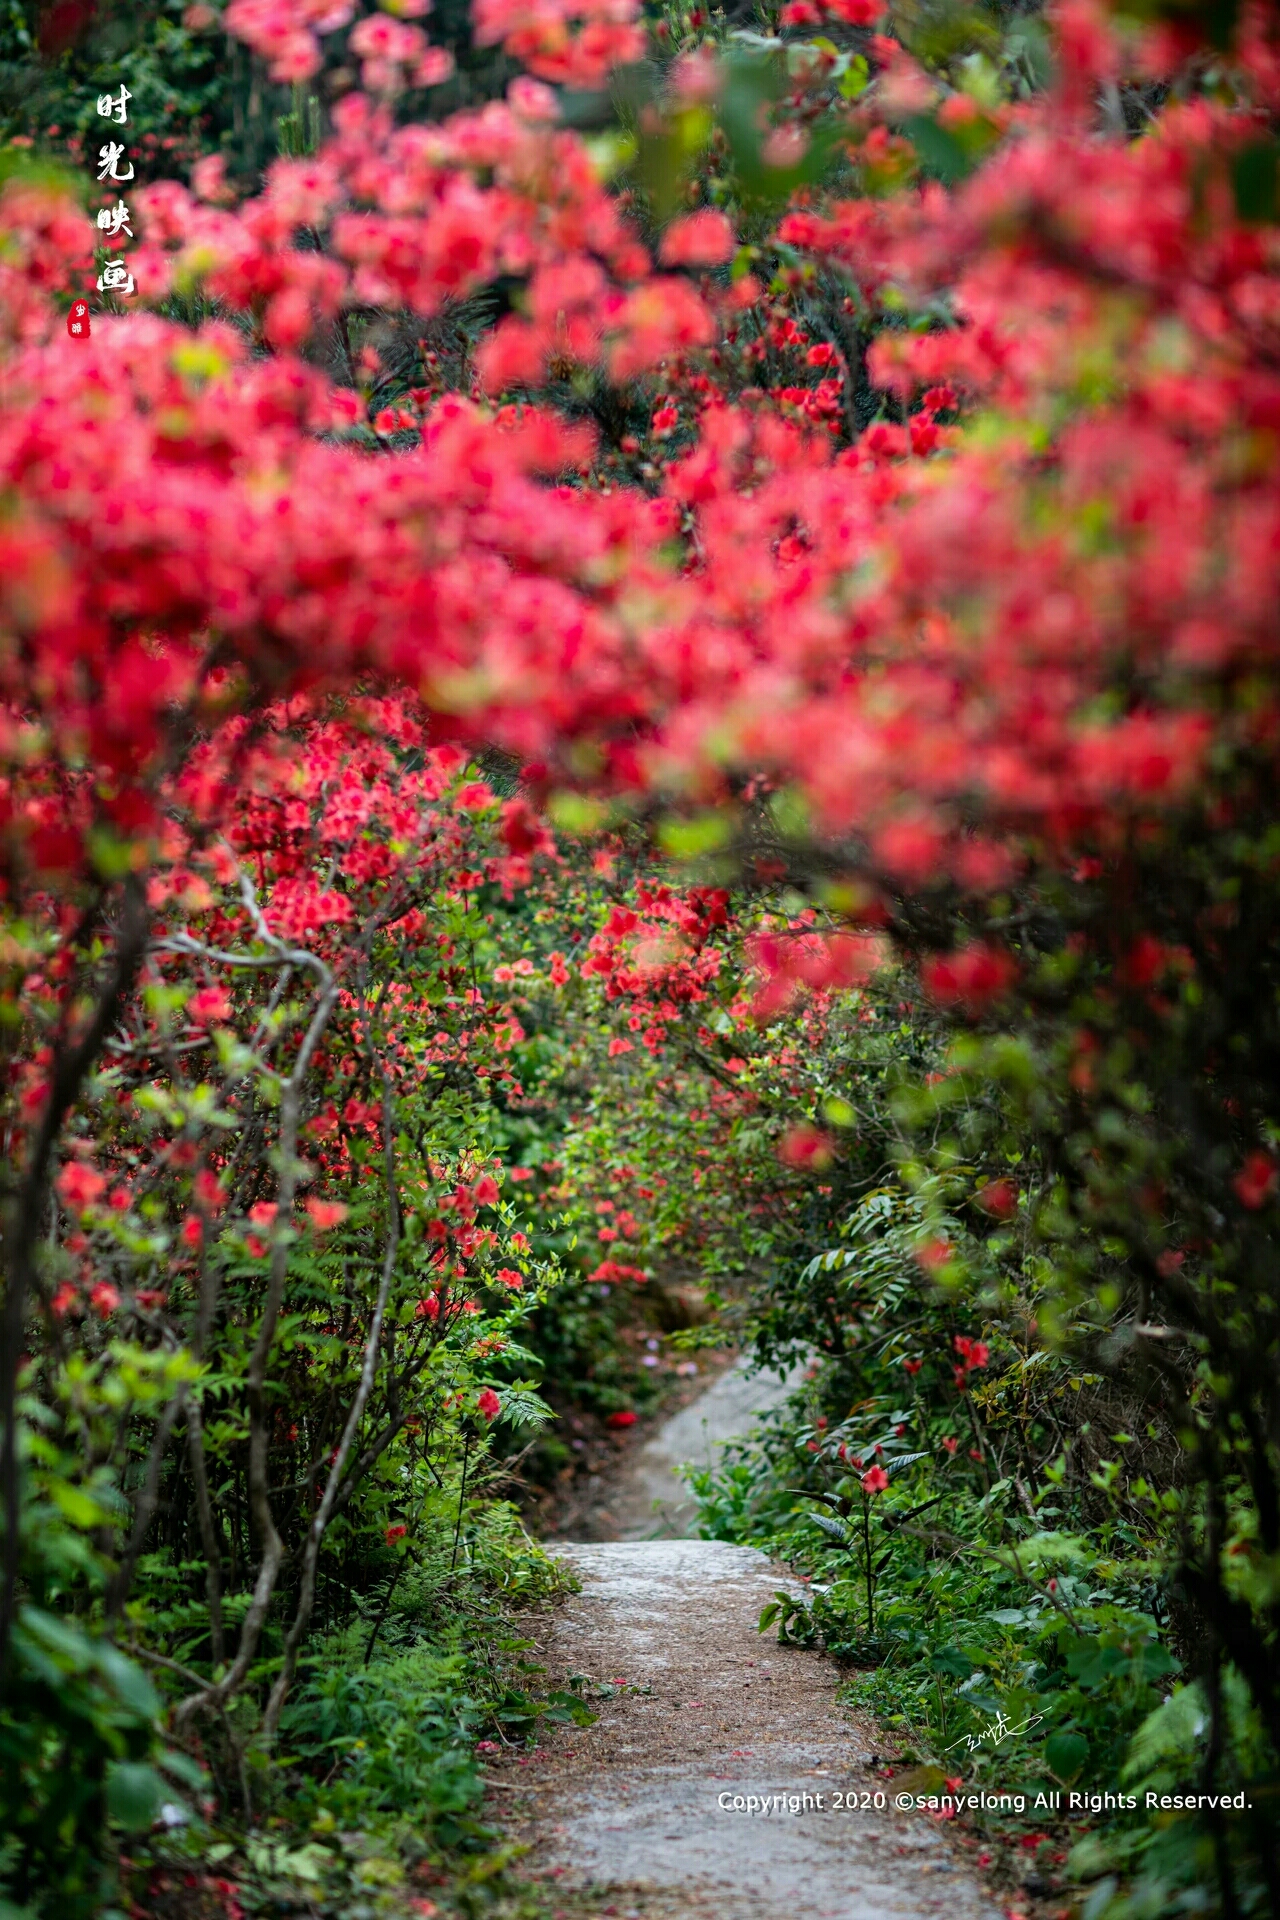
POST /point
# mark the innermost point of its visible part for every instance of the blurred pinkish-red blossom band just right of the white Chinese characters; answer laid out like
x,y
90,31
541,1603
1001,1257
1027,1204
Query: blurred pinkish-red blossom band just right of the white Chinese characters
x,y
415,216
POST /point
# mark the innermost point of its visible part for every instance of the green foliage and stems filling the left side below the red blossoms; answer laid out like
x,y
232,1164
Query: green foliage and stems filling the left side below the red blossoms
x,y
206,1328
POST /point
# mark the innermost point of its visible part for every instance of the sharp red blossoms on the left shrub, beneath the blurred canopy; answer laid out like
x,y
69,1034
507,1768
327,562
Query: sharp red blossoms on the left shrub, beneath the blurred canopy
x,y
339,846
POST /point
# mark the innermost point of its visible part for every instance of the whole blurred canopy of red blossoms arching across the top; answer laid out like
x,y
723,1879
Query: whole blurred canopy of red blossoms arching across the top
x,y
941,640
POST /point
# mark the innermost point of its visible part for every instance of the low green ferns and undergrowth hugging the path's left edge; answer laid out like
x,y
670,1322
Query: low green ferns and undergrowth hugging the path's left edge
x,y
377,1779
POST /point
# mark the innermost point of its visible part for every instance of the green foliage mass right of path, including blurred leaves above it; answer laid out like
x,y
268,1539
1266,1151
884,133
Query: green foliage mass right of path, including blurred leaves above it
x,y
1010,1602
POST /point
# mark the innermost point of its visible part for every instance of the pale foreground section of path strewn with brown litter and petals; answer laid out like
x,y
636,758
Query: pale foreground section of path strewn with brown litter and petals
x,y
723,1781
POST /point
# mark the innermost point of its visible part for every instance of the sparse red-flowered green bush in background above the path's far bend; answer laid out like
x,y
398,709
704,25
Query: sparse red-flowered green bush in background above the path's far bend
x,y
715,1063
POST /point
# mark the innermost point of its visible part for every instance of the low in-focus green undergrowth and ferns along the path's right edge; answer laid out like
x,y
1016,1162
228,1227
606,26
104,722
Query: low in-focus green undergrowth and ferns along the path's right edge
x,y
1022,1629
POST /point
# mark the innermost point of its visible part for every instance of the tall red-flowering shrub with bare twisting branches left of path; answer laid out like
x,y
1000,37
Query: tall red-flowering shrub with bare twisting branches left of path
x,y
312,1364
